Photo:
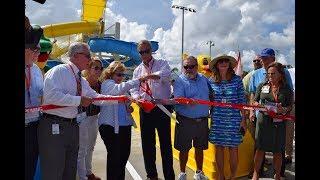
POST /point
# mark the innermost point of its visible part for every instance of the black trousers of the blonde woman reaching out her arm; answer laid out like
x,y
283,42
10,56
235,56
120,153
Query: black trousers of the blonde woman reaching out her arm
x,y
118,147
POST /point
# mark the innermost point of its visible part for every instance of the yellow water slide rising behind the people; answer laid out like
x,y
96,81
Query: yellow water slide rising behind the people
x,y
91,23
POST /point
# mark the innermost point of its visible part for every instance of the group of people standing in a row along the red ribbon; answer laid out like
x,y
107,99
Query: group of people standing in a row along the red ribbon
x,y
64,138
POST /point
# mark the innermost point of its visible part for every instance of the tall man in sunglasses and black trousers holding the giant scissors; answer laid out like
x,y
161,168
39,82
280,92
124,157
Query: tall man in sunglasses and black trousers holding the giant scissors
x,y
158,87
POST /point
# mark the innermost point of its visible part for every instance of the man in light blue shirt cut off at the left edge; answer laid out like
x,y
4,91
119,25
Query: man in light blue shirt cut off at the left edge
x,y
33,95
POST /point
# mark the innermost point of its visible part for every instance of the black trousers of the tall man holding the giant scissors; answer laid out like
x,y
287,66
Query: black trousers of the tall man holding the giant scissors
x,y
156,119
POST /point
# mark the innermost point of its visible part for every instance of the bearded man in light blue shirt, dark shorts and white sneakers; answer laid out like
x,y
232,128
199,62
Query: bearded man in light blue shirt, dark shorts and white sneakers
x,y
193,119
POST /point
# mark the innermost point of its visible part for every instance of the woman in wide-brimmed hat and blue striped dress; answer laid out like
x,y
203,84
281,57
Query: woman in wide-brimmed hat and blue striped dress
x,y
226,122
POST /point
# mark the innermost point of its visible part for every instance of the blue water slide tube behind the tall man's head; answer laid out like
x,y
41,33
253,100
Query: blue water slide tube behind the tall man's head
x,y
111,45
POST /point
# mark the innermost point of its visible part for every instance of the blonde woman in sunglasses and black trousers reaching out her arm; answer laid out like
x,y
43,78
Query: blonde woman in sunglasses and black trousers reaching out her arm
x,y
115,120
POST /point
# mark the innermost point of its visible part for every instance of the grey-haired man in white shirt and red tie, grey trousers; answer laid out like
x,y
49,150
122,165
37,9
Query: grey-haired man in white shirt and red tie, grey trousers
x,y
58,129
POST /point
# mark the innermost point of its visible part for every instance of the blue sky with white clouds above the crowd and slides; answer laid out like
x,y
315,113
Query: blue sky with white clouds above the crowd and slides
x,y
247,25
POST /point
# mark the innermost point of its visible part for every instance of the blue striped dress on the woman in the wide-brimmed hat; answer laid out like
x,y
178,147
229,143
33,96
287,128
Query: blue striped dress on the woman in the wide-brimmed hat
x,y
225,122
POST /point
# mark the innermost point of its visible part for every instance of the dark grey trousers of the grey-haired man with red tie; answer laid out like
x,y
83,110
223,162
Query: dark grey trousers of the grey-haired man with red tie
x,y
58,152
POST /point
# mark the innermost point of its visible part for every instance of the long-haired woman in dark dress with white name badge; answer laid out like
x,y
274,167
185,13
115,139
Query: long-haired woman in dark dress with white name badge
x,y
270,132
